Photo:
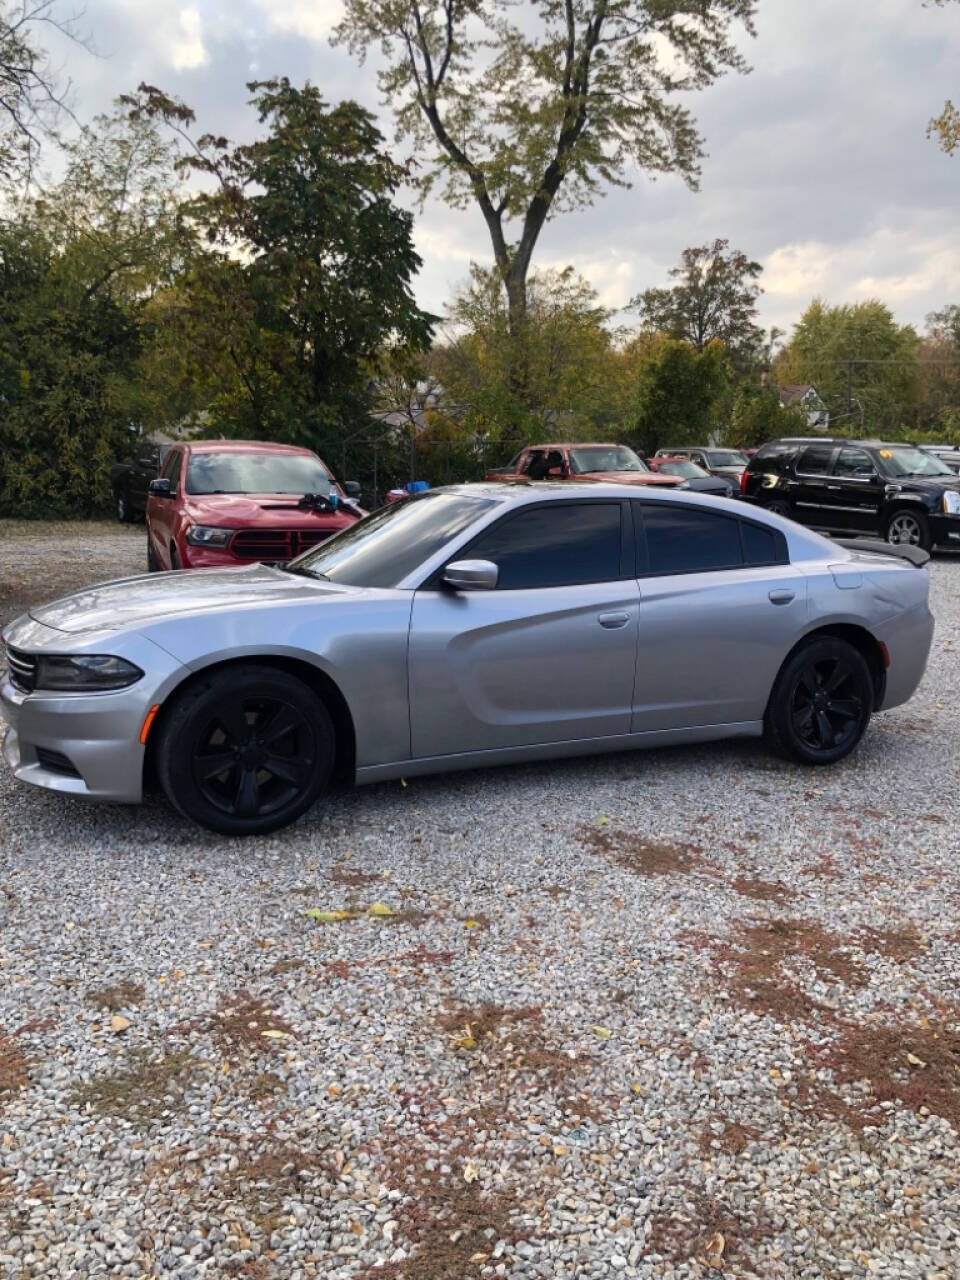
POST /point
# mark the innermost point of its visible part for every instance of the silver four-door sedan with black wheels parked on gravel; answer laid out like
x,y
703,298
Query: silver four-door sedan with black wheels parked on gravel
x,y
468,627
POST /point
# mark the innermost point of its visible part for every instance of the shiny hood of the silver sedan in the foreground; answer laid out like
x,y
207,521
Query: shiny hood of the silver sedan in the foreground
x,y
132,601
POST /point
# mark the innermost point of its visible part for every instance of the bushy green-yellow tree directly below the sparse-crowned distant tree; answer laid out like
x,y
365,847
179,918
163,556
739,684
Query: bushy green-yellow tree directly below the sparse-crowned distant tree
x,y
676,391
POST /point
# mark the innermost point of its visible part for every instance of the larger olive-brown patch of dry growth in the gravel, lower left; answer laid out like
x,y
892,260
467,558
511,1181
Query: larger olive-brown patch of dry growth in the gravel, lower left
x,y
147,1089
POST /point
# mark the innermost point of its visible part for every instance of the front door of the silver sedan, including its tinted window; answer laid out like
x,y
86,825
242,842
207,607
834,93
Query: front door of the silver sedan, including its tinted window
x,y
546,657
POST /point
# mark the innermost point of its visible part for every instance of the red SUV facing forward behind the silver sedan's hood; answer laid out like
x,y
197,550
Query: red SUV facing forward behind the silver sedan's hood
x,y
222,504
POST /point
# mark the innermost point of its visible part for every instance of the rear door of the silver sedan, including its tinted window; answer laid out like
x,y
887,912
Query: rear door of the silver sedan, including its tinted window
x,y
720,610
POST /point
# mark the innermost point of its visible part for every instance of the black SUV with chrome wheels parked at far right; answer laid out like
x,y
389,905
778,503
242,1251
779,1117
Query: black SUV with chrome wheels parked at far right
x,y
858,487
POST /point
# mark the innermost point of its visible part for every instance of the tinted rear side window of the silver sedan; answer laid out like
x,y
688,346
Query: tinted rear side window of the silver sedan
x,y
687,541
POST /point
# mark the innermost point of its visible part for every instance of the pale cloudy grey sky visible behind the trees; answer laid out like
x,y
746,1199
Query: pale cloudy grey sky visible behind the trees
x,y
819,164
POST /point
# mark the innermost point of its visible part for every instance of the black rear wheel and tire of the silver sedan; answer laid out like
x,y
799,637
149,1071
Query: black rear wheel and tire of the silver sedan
x,y
803,720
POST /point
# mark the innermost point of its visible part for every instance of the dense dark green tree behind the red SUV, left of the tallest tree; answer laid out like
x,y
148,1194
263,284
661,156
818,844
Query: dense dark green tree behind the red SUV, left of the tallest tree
x,y
310,264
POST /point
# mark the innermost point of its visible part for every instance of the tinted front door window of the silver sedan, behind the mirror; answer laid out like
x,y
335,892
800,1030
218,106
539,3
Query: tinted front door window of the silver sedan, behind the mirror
x,y
556,546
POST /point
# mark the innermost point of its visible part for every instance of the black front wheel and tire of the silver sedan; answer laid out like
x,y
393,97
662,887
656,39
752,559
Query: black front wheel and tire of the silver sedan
x,y
235,717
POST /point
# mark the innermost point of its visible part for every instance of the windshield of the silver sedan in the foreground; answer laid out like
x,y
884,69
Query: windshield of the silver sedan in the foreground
x,y
383,548
